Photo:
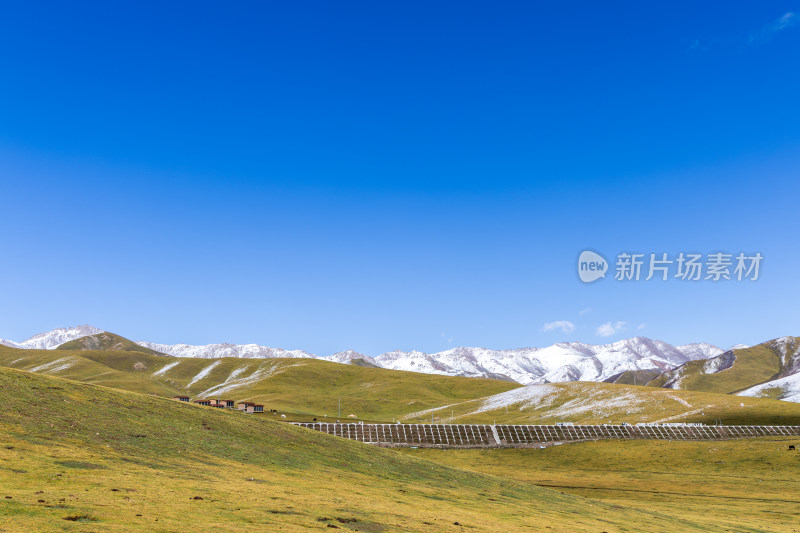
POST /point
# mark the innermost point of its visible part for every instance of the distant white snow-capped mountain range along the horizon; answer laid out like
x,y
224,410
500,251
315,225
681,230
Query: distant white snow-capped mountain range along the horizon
x,y
573,361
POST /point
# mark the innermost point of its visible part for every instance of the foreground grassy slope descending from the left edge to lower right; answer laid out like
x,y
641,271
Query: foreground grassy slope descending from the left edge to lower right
x,y
77,457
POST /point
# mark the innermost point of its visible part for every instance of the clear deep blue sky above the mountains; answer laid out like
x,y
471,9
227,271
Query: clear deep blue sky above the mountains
x,y
422,175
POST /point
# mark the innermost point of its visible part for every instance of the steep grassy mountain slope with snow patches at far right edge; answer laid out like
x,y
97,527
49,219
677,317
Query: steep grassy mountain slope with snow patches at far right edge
x,y
737,370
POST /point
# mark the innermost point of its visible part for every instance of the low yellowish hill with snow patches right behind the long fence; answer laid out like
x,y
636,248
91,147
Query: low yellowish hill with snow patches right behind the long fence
x,y
599,403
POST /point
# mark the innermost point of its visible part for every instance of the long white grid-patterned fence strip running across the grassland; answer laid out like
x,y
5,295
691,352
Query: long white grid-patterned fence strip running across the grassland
x,y
483,436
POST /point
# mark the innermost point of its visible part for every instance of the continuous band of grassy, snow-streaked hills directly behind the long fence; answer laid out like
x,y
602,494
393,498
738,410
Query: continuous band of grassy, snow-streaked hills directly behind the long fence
x,y
304,389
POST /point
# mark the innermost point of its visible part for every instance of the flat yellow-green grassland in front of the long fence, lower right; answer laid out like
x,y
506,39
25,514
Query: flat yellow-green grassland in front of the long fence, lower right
x,y
746,485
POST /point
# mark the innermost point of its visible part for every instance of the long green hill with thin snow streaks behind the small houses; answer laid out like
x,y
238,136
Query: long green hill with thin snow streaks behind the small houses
x,y
306,388
